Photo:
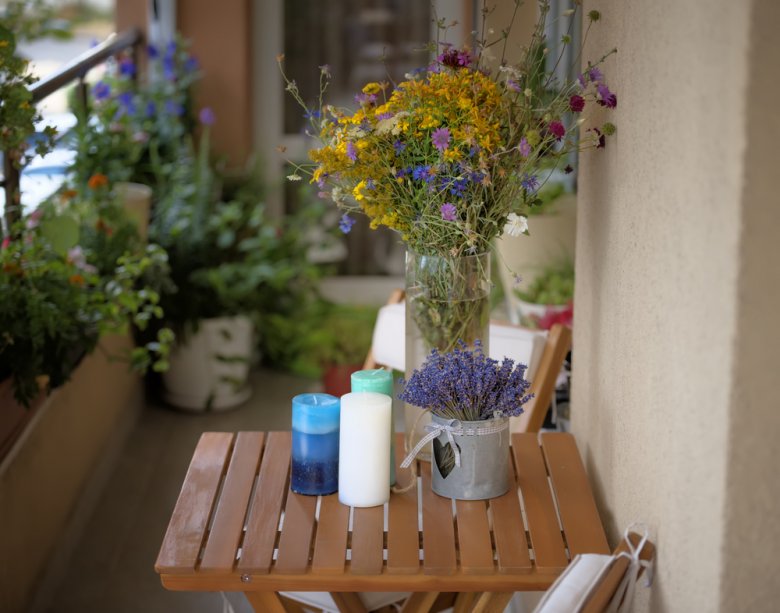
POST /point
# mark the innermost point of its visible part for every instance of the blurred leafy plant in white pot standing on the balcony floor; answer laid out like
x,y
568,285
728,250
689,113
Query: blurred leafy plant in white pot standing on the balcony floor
x,y
230,263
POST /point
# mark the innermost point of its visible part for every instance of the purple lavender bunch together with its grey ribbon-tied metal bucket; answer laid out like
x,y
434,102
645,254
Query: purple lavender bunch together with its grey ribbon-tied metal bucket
x,y
470,397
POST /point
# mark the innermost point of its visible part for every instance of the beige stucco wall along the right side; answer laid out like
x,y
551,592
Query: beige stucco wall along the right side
x,y
677,296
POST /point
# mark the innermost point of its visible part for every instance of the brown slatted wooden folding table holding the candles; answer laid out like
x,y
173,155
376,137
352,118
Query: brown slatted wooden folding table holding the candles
x,y
238,527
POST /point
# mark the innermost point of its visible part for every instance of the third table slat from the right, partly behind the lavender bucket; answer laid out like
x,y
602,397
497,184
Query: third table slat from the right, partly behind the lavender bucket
x,y
509,531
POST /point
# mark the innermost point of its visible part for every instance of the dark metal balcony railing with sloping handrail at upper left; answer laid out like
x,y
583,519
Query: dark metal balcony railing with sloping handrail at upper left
x,y
76,70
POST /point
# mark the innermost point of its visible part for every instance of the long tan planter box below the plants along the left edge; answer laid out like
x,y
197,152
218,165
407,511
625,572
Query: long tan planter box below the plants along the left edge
x,y
57,466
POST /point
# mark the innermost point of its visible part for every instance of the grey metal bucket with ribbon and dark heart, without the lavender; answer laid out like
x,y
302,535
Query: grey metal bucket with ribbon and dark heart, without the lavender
x,y
475,468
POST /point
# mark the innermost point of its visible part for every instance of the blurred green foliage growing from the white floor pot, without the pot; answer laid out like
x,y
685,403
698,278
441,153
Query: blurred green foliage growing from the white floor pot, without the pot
x,y
227,256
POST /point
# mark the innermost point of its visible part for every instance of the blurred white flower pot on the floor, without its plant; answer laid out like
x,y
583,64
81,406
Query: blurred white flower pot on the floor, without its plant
x,y
210,368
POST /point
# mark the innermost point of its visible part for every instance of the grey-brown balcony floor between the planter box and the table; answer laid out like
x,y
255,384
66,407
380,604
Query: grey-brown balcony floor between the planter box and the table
x,y
112,567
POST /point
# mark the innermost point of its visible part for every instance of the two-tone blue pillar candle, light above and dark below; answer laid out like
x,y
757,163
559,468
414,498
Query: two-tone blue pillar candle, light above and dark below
x,y
315,444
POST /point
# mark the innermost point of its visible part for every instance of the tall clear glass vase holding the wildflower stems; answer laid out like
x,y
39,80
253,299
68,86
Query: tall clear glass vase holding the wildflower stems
x,y
447,302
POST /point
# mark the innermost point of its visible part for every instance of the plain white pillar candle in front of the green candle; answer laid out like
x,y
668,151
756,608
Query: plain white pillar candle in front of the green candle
x,y
364,449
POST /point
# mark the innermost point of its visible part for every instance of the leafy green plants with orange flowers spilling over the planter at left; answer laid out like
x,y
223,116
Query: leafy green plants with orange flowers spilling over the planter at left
x,y
56,303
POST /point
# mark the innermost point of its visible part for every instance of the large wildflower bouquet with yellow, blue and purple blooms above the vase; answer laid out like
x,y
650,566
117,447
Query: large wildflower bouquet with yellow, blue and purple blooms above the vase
x,y
450,157
